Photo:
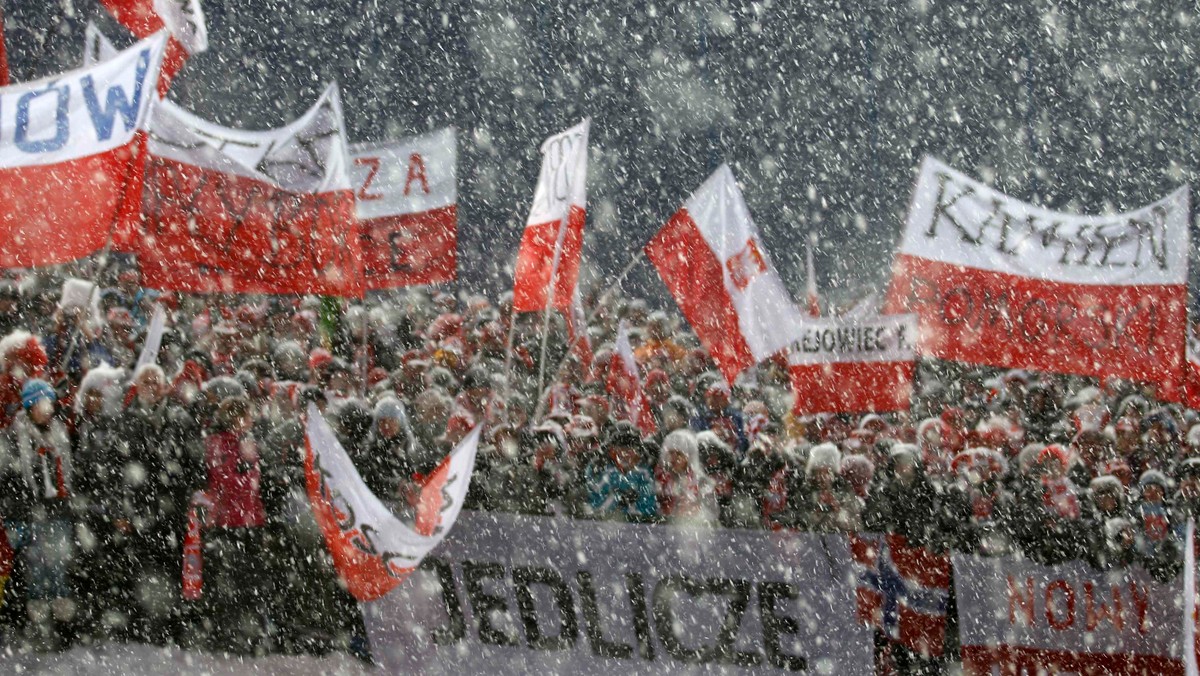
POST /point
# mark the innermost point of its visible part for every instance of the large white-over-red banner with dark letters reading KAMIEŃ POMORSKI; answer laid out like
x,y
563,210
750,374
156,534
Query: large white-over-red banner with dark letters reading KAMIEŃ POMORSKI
x,y
1000,283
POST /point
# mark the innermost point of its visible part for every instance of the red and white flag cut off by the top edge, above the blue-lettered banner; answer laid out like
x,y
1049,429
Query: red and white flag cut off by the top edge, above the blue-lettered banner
x,y
183,21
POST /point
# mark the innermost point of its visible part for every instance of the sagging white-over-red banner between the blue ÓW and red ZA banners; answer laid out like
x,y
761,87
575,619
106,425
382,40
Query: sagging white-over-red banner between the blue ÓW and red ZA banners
x,y
250,212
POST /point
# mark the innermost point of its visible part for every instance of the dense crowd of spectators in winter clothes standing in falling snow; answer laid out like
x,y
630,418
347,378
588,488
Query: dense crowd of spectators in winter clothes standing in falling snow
x,y
106,469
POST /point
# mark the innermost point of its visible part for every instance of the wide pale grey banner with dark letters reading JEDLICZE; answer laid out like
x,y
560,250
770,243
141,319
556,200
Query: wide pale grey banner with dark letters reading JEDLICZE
x,y
525,595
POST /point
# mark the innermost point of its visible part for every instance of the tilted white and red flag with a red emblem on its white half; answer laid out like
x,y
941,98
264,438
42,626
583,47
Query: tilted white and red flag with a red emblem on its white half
x,y
712,261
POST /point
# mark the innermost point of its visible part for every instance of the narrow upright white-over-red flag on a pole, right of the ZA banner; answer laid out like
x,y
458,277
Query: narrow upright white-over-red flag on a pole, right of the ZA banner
x,y
553,244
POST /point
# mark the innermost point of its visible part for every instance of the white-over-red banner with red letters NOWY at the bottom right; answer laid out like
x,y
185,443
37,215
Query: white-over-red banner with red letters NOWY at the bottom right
x,y
1019,618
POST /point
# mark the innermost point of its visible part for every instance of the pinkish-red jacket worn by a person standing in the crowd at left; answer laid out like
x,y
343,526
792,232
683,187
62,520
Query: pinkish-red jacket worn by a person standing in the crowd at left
x,y
233,484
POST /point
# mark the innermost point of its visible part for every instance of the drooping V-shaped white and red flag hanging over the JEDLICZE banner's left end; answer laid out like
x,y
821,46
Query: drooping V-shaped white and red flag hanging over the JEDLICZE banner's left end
x,y
375,552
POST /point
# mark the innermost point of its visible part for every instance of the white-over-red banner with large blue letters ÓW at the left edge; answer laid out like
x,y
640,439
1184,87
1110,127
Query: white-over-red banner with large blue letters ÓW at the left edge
x,y
81,133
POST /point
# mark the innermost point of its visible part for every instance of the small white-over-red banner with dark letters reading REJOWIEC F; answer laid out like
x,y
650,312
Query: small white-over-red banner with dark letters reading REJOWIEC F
x,y
853,366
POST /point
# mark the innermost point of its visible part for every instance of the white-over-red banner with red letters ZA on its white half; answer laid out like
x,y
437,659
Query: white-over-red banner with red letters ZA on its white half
x,y
407,195
